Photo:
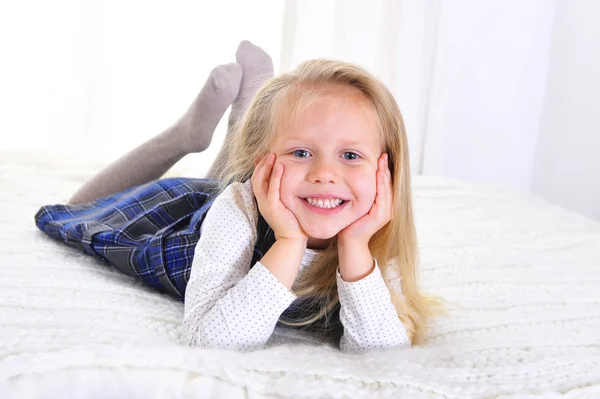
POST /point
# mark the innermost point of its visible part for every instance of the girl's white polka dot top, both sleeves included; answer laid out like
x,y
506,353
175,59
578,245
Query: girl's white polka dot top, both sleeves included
x,y
230,305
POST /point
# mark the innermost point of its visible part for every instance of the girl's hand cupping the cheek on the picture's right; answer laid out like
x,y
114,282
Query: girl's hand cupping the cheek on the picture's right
x,y
361,230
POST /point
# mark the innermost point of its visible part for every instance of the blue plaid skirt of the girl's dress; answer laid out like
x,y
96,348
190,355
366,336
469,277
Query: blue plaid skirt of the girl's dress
x,y
149,231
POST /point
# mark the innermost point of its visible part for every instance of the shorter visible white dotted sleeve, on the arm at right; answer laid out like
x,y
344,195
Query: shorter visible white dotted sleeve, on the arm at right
x,y
368,315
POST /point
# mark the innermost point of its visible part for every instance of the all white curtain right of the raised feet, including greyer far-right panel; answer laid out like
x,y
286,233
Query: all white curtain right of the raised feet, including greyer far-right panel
x,y
479,83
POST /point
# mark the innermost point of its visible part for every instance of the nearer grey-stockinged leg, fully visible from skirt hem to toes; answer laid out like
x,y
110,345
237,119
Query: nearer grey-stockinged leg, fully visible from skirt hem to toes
x,y
192,133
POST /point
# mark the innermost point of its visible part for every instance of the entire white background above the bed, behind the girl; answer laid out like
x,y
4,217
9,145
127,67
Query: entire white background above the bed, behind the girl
x,y
497,92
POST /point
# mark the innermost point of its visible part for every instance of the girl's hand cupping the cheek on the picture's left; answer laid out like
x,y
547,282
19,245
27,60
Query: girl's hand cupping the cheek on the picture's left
x,y
266,183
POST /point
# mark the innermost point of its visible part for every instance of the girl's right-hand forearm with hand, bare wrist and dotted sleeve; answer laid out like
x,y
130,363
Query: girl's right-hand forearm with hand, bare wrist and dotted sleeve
x,y
366,309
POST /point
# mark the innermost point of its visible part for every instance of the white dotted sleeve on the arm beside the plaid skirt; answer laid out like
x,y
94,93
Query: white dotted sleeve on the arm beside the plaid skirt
x,y
227,304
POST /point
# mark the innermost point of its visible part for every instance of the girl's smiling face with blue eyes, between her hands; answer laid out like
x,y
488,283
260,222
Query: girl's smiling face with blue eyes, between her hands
x,y
330,162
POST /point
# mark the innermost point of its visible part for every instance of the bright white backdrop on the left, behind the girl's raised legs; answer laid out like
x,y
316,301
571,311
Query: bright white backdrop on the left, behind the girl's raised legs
x,y
101,76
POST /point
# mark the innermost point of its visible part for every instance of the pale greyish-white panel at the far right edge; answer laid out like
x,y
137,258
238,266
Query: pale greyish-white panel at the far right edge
x,y
567,162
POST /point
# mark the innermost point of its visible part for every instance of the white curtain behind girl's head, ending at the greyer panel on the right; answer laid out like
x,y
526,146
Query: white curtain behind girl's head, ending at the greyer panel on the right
x,y
468,75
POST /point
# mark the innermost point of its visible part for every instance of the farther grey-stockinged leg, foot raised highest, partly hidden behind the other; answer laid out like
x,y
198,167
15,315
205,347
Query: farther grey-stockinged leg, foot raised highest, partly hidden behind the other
x,y
258,68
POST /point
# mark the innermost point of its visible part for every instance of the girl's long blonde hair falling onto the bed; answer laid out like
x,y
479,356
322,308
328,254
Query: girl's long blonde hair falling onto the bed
x,y
395,245
